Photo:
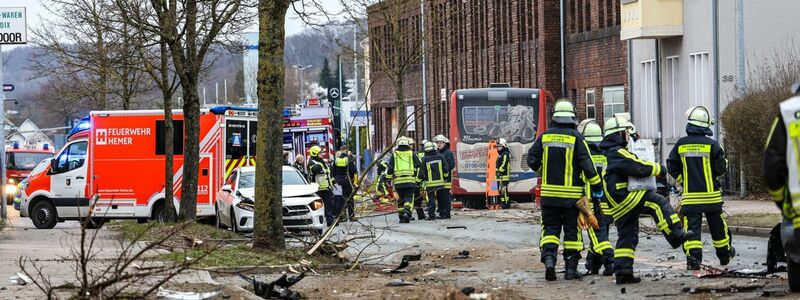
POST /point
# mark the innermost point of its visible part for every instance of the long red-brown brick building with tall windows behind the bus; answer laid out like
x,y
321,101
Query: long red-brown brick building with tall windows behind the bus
x,y
473,43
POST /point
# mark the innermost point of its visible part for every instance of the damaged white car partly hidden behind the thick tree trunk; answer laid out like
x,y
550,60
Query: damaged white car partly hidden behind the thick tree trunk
x,y
303,210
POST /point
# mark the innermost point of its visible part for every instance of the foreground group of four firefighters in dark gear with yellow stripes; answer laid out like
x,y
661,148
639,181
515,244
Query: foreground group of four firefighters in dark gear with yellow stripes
x,y
596,163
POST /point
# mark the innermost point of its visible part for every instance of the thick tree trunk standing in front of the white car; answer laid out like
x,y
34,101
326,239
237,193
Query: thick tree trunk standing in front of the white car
x,y
268,227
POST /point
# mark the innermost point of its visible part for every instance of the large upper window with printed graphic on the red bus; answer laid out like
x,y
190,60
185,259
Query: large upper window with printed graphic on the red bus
x,y
492,114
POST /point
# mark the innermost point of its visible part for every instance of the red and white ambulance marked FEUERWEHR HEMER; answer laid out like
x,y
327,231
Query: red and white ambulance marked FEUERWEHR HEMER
x,y
118,156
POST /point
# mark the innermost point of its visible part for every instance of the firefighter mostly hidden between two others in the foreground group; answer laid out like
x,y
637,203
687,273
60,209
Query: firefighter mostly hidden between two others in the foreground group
x,y
600,253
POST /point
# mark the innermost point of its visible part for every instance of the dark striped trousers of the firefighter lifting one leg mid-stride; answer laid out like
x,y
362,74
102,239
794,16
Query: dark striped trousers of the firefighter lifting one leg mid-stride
x,y
667,222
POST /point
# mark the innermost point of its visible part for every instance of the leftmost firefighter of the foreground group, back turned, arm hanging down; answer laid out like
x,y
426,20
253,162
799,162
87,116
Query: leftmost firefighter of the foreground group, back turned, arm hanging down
x,y
561,156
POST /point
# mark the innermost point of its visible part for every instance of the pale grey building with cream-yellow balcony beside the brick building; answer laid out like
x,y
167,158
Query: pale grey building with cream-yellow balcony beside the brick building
x,y
677,60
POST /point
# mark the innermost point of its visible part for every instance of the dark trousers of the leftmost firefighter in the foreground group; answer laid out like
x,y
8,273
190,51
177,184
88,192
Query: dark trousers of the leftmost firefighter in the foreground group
x,y
554,220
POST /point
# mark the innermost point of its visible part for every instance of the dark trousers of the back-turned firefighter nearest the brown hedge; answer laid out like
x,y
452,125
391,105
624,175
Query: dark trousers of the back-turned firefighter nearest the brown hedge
x,y
693,219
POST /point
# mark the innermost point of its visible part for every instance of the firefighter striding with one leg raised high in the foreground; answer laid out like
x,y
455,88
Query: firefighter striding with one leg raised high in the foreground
x,y
626,206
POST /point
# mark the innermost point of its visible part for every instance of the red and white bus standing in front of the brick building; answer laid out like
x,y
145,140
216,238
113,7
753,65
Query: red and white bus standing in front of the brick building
x,y
480,115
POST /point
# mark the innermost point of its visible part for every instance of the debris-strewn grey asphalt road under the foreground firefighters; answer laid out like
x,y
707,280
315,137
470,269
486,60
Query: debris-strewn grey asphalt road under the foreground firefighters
x,y
505,255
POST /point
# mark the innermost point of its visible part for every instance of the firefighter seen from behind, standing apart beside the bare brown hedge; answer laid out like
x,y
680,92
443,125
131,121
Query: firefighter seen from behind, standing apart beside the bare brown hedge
x,y
696,162
